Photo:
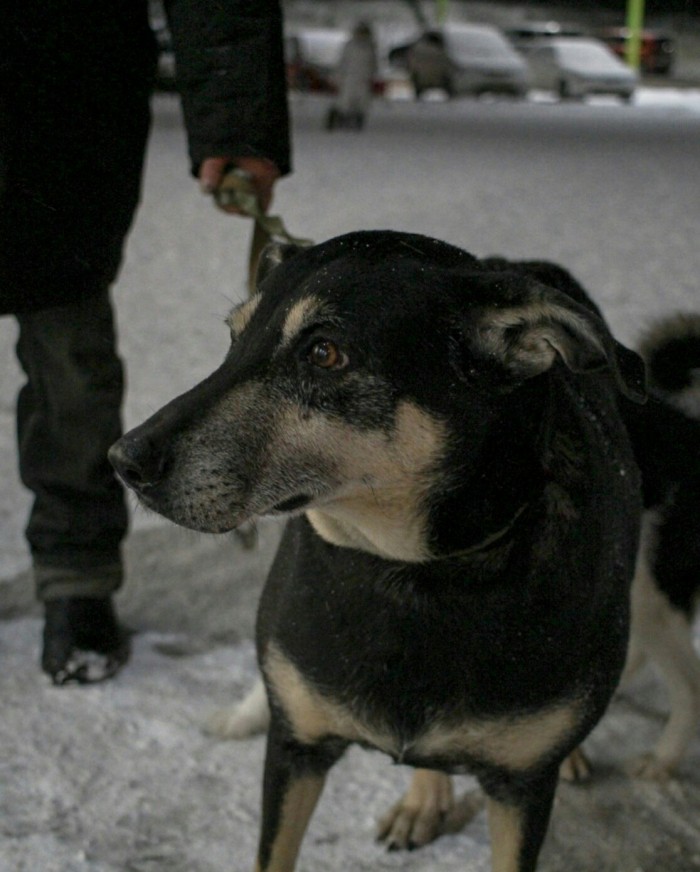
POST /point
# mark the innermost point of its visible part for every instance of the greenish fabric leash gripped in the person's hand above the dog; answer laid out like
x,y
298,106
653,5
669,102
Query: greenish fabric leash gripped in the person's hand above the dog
x,y
236,189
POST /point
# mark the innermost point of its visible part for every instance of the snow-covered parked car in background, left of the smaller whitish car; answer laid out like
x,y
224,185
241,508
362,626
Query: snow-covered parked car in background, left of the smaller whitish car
x,y
479,60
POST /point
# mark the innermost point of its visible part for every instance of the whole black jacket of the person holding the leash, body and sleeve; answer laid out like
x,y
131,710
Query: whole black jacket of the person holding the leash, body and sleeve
x,y
75,82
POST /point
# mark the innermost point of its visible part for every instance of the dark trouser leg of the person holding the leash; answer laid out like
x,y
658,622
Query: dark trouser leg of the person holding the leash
x,y
68,415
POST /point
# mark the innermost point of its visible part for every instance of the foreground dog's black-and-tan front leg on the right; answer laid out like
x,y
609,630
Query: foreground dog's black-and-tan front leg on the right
x,y
518,821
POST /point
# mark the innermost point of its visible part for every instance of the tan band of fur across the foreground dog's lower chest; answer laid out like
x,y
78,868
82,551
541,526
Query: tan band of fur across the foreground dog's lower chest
x,y
443,741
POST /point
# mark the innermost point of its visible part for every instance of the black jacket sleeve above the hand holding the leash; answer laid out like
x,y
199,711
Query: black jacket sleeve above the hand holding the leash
x,y
231,75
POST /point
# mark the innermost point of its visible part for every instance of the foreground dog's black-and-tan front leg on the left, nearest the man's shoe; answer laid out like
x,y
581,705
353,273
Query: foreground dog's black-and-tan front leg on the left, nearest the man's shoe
x,y
293,781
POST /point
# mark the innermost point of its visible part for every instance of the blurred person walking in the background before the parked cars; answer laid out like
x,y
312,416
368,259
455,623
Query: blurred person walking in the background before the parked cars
x,y
355,77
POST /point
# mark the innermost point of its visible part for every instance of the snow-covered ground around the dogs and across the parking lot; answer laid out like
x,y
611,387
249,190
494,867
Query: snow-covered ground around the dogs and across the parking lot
x,y
120,777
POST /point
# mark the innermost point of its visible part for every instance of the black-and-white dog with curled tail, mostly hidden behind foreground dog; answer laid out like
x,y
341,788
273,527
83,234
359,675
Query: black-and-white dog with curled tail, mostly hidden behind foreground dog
x,y
666,585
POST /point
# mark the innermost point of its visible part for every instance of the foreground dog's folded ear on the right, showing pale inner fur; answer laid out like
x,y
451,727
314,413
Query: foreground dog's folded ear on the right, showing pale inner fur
x,y
525,333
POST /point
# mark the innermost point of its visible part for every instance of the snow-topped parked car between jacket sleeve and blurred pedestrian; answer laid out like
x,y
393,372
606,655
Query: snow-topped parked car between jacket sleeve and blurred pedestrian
x,y
312,55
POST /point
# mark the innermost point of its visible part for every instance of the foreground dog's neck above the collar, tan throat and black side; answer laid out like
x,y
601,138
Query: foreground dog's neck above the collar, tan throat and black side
x,y
467,504
